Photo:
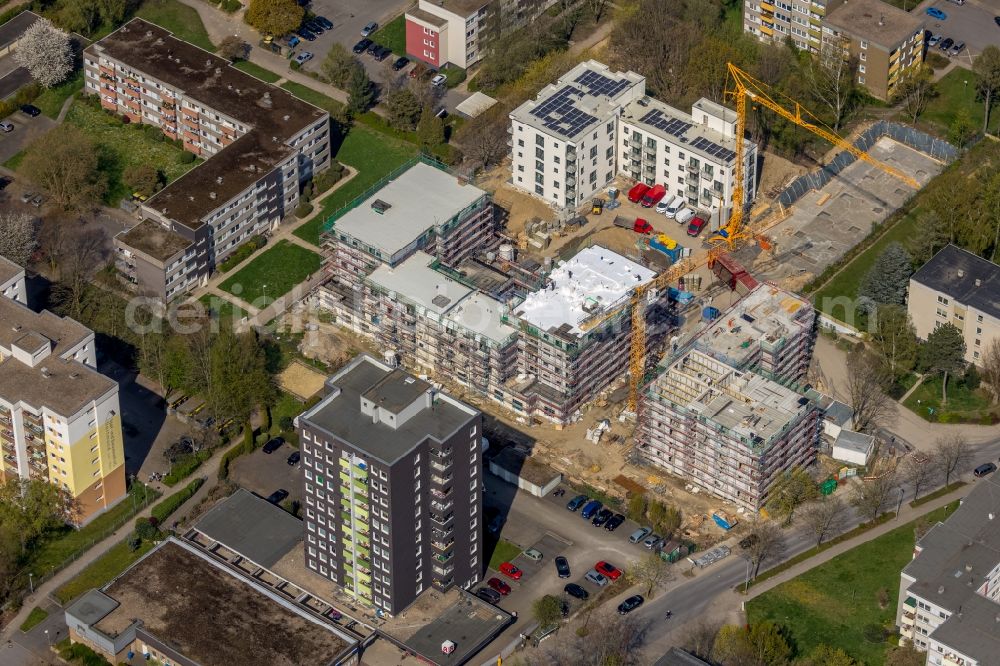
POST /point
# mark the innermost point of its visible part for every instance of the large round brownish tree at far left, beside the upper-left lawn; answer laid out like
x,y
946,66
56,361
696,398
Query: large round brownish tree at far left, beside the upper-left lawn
x,y
63,161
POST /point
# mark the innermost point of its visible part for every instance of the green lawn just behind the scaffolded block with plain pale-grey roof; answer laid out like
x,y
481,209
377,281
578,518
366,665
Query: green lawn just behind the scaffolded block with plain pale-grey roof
x,y
375,156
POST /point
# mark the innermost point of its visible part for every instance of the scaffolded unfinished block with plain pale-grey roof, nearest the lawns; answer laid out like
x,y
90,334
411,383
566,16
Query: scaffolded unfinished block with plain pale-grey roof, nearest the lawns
x,y
423,208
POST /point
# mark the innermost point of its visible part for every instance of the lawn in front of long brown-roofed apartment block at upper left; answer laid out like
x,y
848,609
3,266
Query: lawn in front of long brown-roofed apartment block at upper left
x,y
121,146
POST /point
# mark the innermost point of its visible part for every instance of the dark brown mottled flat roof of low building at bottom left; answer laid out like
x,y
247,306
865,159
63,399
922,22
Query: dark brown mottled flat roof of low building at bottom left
x,y
212,616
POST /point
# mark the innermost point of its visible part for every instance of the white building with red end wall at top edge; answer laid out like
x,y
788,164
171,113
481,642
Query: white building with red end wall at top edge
x,y
458,32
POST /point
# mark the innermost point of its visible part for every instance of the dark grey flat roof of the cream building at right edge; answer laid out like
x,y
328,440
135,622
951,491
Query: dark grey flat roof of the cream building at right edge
x,y
965,277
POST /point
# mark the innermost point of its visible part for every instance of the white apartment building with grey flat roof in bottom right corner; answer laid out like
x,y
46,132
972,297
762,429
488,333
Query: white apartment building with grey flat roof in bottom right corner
x,y
949,594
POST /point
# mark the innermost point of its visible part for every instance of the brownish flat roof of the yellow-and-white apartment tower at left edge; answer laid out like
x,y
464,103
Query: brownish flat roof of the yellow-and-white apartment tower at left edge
x,y
61,385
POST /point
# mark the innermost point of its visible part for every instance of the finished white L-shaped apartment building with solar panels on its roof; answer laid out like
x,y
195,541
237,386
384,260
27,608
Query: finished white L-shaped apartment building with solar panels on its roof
x,y
593,124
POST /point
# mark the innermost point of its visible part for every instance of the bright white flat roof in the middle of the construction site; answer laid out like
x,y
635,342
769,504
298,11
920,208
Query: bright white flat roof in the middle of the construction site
x,y
592,281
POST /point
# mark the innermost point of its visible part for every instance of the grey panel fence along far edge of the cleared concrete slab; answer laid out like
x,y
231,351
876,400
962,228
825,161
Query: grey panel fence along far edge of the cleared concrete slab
x,y
909,136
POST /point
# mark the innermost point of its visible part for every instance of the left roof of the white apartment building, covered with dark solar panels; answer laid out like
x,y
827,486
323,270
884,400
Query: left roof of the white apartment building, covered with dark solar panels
x,y
586,95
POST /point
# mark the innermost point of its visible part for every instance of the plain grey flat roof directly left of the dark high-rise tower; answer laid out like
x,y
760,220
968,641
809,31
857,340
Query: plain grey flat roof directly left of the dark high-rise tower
x,y
253,527
